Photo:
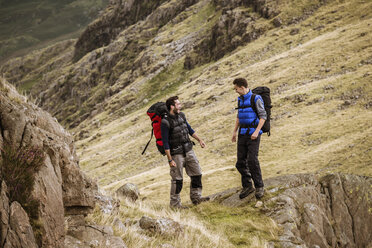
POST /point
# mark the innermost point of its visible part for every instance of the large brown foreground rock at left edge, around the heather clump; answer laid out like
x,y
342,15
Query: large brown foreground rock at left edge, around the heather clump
x,y
60,187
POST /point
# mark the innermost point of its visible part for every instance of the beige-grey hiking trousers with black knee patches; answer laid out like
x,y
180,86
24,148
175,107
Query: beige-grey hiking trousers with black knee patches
x,y
193,170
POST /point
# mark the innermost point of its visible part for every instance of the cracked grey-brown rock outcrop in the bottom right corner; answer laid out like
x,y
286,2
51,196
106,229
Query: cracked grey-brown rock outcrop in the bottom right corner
x,y
317,211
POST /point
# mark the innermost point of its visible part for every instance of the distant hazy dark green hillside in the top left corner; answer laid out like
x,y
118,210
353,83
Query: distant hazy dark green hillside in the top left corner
x,y
26,24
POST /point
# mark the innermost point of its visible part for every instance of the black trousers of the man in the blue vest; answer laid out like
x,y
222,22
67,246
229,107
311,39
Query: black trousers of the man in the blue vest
x,y
248,164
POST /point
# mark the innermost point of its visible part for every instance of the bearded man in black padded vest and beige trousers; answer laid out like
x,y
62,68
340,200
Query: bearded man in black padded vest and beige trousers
x,y
176,132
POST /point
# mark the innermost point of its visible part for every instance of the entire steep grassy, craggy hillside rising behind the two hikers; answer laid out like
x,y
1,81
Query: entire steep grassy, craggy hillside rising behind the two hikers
x,y
314,55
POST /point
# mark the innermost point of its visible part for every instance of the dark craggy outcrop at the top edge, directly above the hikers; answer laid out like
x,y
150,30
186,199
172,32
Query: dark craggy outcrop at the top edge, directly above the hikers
x,y
235,27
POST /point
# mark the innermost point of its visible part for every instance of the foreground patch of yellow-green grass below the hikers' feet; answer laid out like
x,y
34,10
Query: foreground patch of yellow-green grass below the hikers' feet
x,y
206,225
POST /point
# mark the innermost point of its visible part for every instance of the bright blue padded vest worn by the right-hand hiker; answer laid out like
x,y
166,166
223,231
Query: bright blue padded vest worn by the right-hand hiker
x,y
246,114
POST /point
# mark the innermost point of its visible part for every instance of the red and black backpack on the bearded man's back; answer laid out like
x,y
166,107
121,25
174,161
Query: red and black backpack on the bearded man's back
x,y
156,112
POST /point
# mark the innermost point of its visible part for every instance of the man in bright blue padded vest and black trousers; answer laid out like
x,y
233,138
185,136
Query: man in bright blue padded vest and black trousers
x,y
249,123
